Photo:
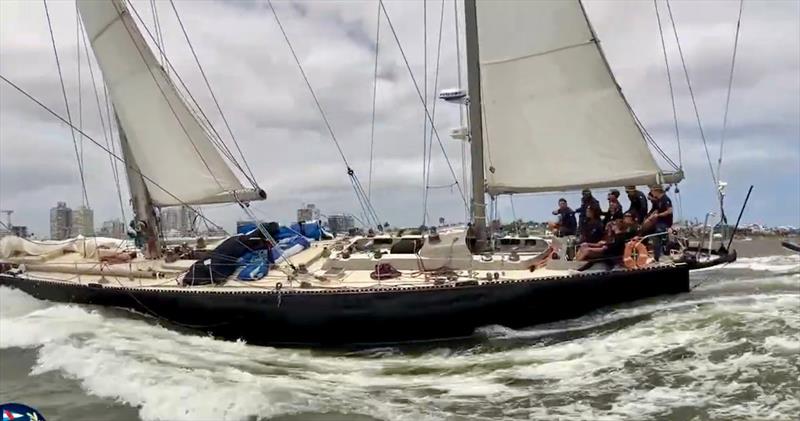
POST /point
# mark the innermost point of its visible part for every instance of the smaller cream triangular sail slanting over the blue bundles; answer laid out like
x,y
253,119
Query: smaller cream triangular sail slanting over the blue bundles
x,y
167,142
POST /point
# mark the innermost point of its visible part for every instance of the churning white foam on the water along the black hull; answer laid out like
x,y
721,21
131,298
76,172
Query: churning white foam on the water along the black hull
x,y
171,376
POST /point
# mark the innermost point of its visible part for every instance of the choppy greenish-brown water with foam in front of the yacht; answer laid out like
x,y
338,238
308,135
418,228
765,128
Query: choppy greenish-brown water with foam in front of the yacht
x,y
729,350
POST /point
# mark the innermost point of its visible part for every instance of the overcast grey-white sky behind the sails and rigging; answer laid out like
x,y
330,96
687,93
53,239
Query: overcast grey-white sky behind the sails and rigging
x,y
276,123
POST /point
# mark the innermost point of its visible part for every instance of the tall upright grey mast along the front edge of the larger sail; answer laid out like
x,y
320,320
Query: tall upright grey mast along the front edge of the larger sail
x,y
475,124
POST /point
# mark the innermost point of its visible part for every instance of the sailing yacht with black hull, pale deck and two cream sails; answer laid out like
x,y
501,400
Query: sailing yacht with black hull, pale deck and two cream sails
x,y
536,76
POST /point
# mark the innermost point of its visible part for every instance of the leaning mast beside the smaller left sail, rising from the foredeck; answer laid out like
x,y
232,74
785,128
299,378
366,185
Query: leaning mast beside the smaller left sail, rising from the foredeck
x,y
144,215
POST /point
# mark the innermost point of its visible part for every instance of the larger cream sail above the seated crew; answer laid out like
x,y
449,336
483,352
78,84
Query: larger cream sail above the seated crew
x,y
554,118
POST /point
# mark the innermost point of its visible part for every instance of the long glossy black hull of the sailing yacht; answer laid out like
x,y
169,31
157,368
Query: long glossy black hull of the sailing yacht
x,y
388,315
